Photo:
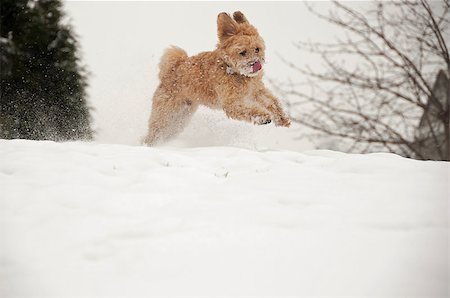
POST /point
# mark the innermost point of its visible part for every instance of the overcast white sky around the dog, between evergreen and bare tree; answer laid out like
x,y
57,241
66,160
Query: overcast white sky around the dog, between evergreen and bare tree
x,y
121,43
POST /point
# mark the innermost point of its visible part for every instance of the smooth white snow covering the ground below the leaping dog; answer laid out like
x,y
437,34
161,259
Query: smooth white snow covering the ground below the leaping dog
x,y
79,219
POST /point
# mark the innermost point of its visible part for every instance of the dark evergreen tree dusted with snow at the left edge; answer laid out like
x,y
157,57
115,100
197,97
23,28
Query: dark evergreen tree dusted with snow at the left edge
x,y
42,83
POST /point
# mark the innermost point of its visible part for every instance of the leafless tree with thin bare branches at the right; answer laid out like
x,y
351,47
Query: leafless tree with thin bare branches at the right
x,y
377,83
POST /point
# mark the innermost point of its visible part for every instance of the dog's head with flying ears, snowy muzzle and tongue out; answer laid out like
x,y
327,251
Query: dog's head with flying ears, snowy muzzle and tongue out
x,y
240,45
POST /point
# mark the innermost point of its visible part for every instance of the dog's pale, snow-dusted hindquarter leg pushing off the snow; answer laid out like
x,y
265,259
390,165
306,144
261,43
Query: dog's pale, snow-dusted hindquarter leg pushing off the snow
x,y
168,118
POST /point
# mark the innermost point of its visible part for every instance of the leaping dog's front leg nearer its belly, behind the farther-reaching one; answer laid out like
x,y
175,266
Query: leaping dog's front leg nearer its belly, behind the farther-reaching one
x,y
236,109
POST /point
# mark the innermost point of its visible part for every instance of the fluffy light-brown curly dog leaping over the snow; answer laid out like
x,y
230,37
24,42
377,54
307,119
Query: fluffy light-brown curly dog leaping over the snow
x,y
228,77
